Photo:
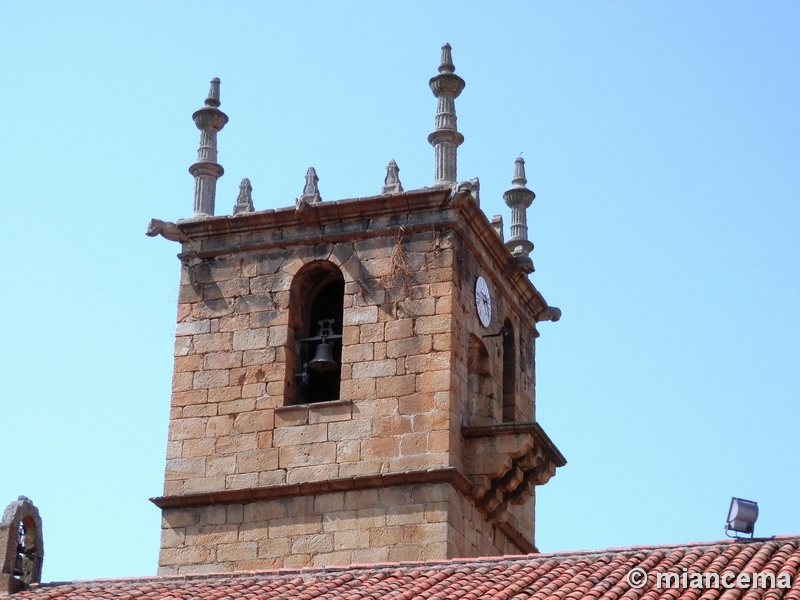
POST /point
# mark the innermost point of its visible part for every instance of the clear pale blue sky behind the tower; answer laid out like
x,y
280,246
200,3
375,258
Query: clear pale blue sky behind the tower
x,y
662,140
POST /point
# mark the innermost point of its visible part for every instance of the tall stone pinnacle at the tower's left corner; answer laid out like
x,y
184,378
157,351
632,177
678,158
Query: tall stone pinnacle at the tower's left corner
x,y
209,120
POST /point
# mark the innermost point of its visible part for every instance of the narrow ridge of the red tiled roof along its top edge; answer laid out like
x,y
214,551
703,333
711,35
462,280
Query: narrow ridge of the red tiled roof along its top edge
x,y
478,560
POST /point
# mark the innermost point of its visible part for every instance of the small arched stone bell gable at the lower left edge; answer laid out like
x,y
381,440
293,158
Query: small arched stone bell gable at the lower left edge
x,y
21,545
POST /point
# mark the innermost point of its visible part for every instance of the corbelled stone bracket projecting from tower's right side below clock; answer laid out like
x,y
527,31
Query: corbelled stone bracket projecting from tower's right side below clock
x,y
504,462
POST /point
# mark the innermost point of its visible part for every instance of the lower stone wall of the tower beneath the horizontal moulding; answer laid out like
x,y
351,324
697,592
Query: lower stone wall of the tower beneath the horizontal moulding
x,y
399,523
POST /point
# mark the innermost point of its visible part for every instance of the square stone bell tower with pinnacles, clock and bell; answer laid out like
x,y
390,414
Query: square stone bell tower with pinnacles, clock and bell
x,y
354,379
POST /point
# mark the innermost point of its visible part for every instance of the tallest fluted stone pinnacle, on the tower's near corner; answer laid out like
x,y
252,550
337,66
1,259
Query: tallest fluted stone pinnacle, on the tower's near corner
x,y
445,139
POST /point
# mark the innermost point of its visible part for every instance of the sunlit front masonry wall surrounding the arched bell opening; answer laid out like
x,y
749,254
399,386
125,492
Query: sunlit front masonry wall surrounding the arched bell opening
x,y
229,428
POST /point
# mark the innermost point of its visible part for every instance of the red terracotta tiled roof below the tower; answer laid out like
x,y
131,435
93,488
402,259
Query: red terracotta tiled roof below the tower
x,y
562,576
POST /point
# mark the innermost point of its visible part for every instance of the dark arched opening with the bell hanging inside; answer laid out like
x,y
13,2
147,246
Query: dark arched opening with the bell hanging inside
x,y
317,305
